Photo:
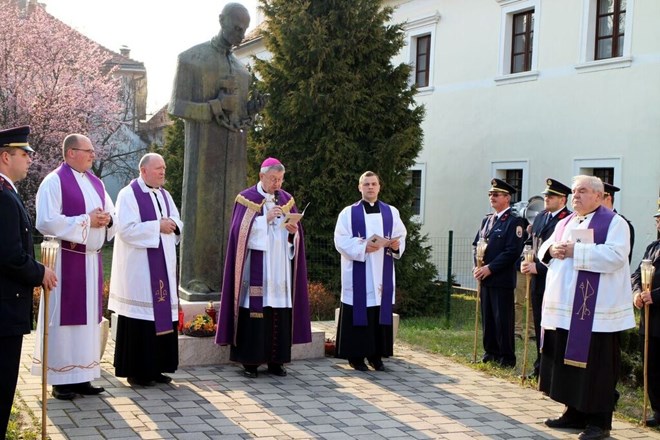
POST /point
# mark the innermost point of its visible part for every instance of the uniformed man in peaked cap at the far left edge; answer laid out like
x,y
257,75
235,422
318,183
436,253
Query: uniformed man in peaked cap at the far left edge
x,y
20,273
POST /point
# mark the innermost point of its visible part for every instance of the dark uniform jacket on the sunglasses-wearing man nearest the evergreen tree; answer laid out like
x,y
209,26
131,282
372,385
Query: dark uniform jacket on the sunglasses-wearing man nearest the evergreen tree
x,y
505,243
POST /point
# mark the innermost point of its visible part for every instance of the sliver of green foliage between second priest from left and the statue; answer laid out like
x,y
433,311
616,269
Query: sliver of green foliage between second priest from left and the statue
x,y
172,152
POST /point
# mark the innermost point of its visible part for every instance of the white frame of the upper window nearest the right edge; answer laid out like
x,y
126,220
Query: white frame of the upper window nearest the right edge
x,y
587,62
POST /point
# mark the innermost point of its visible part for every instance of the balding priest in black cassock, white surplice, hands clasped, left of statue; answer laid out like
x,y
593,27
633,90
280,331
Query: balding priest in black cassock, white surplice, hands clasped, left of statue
x,y
143,288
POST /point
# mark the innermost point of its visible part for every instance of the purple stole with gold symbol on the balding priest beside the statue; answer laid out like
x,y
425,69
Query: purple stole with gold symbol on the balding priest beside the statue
x,y
160,282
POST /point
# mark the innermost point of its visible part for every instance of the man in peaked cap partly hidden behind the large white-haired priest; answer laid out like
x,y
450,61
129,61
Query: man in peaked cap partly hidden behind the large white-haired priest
x,y
555,196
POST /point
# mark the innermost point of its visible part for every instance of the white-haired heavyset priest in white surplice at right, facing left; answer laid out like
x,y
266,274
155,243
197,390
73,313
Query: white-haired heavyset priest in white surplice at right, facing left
x,y
586,305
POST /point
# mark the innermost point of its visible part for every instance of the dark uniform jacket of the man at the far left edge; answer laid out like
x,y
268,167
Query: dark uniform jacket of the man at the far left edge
x,y
19,271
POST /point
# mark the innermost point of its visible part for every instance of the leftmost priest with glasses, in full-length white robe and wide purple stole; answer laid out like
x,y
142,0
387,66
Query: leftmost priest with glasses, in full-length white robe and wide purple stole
x,y
73,206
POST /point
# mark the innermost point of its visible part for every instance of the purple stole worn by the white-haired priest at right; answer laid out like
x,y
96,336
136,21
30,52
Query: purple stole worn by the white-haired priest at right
x,y
586,292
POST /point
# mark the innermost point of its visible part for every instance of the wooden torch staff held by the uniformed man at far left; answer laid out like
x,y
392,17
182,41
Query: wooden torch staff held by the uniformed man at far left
x,y
48,256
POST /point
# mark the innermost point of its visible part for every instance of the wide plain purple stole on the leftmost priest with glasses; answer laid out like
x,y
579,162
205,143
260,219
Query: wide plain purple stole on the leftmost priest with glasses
x,y
73,283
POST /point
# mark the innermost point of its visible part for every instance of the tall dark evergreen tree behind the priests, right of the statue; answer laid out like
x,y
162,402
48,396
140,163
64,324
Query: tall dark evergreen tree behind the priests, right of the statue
x,y
339,107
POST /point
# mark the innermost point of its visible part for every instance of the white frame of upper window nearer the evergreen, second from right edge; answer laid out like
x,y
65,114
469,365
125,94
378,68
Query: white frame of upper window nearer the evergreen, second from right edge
x,y
509,9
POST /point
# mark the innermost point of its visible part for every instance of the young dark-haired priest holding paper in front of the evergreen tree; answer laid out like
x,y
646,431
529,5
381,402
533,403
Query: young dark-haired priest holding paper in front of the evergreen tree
x,y
367,276
